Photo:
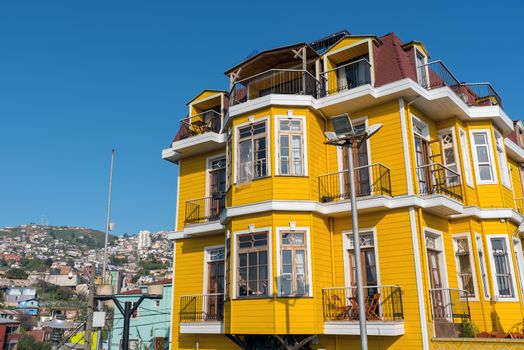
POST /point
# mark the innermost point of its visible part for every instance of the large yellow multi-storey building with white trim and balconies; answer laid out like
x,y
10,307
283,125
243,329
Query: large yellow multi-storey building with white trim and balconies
x,y
263,248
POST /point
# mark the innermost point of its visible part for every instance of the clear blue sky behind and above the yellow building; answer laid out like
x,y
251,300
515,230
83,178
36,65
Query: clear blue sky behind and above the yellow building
x,y
78,78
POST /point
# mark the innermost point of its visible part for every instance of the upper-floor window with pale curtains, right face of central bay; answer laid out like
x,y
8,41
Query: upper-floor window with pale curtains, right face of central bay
x,y
291,147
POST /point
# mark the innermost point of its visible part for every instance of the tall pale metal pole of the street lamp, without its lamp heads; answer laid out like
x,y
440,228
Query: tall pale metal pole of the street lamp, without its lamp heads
x,y
356,249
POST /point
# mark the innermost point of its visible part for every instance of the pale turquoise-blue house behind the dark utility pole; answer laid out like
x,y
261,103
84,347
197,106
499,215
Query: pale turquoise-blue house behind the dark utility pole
x,y
150,325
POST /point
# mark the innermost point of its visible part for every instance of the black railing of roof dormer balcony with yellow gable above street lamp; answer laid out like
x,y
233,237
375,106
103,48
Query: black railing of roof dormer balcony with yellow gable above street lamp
x,y
346,77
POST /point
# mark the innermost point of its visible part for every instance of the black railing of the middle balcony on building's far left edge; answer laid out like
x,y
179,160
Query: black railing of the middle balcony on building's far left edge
x,y
204,209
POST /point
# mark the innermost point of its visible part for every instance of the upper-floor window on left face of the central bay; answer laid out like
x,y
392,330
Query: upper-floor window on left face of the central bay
x,y
252,152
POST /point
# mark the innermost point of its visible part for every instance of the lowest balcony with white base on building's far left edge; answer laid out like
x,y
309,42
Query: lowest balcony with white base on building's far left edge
x,y
202,313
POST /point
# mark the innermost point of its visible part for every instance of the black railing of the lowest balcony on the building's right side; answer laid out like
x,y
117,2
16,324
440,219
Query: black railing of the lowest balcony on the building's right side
x,y
449,304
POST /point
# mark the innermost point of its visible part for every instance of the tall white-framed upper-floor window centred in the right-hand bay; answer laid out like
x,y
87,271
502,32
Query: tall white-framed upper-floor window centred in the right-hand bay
x,y
483,157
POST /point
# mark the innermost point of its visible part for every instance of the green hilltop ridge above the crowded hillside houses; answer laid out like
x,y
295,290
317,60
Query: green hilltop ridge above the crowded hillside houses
x,y
79,237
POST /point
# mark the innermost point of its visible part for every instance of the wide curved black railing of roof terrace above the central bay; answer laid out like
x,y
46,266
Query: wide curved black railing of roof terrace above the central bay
x,y
274,81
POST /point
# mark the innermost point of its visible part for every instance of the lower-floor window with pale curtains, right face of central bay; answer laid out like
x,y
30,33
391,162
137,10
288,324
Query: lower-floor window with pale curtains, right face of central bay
x,y
293,261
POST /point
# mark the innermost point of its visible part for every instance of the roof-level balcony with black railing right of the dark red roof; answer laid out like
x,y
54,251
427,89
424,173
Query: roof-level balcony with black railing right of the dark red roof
x,y
435,75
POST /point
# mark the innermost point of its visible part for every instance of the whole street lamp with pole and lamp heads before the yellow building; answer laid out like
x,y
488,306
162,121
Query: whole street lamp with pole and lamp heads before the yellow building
x,y
346,136
